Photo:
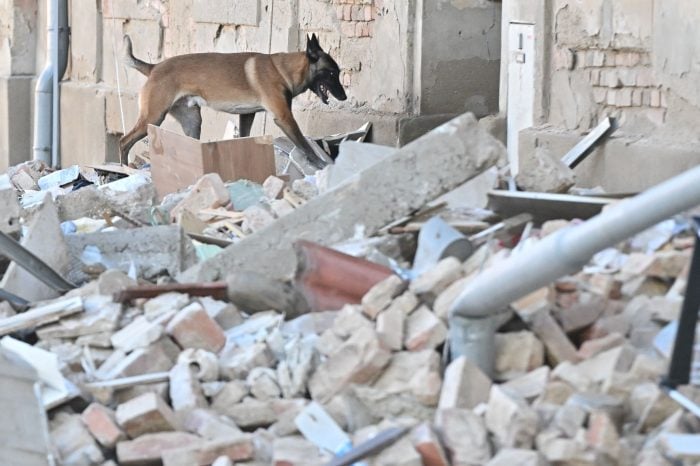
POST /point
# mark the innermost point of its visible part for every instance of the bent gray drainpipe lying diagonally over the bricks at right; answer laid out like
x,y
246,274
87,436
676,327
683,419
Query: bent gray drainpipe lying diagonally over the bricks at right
x,y
472,315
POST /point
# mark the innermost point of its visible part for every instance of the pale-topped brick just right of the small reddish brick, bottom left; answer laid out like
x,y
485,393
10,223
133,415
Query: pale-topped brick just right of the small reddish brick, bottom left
x,y
145,414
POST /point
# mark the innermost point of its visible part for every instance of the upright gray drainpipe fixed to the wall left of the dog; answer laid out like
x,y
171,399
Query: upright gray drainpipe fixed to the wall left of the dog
x,y
46,104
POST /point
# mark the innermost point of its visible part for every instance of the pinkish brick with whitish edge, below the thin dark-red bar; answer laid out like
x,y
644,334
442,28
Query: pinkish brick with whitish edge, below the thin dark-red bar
x,y
193,328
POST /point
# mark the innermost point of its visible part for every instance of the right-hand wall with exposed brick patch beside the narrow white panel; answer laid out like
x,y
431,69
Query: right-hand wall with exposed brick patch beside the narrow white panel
x,y
633,60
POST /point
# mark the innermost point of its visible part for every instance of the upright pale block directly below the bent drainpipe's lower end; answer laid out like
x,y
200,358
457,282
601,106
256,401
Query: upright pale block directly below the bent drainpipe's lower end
x,y
465,385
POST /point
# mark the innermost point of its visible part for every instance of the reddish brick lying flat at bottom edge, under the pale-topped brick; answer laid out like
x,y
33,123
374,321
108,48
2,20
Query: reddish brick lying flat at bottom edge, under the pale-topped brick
x,y
148,448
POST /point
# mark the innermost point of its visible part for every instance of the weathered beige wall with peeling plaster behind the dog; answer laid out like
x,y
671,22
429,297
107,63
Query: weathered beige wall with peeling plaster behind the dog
x,y
379,45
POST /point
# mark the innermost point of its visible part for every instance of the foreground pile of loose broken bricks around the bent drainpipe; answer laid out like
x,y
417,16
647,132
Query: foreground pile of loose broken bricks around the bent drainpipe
x,y
576,373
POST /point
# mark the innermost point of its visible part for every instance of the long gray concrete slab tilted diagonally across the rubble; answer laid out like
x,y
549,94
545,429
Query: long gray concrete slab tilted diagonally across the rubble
x,y
390,189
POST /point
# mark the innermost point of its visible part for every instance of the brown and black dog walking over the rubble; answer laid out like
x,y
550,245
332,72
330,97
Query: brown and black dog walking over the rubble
x,y
238,83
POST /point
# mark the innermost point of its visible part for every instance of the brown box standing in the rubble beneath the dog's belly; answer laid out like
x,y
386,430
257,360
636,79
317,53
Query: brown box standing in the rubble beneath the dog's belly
x,y
178,161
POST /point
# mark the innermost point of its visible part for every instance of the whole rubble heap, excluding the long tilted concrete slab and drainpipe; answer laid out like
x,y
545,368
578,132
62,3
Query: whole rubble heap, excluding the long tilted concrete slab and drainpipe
x,y
198,377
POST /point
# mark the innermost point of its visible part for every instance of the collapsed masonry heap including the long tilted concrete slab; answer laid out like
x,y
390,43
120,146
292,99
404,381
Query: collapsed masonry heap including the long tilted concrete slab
x,y
179,379
